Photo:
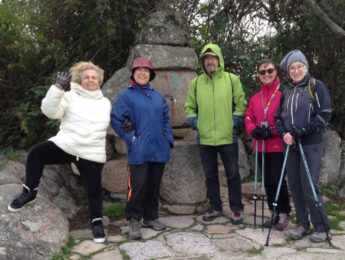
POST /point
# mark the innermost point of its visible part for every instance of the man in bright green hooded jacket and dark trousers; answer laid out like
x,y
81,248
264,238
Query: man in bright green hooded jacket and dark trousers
x,y
215,107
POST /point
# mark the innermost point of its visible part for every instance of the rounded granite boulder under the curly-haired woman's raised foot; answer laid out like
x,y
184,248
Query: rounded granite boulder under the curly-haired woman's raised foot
x,y
36,232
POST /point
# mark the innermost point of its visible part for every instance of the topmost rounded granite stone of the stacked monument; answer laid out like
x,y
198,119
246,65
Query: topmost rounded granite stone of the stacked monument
x,y
164,28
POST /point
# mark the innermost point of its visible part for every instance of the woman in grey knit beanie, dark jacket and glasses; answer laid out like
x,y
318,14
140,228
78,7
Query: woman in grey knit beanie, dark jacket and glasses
x,y
305,108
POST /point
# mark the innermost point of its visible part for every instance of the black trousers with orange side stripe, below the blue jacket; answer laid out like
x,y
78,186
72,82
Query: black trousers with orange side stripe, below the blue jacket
x,y
143,190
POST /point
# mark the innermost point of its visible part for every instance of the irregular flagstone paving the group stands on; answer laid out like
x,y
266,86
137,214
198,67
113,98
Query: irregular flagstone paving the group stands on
x,y
189,237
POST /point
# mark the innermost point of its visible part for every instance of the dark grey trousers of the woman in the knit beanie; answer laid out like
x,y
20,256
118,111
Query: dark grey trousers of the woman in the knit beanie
x,y
300,188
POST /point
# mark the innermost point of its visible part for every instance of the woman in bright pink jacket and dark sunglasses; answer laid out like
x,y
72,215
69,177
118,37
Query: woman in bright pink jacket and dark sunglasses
x,y
260,125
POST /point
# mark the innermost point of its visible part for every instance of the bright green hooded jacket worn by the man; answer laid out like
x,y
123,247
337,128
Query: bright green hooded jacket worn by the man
x,y
215,102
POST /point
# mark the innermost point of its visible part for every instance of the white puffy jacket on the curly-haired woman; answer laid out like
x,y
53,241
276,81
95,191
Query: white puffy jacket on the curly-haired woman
x,y
84,117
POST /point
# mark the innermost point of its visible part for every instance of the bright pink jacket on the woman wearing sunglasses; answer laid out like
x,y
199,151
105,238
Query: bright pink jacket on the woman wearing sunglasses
x,y
255,115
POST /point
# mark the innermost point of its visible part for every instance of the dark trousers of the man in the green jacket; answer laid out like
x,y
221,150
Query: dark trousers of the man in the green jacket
x,y
229,156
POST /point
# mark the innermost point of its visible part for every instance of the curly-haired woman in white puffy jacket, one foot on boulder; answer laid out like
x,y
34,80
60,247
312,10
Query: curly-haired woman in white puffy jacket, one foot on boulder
x,y
77,101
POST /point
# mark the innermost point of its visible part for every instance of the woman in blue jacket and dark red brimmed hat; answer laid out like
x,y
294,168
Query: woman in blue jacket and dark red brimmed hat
x,y
140,116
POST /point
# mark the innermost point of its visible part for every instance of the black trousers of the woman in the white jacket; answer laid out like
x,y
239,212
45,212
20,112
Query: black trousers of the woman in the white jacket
x,y
91,172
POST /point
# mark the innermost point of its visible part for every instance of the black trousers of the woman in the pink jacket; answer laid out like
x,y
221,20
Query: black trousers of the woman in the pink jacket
x,y
273,167
